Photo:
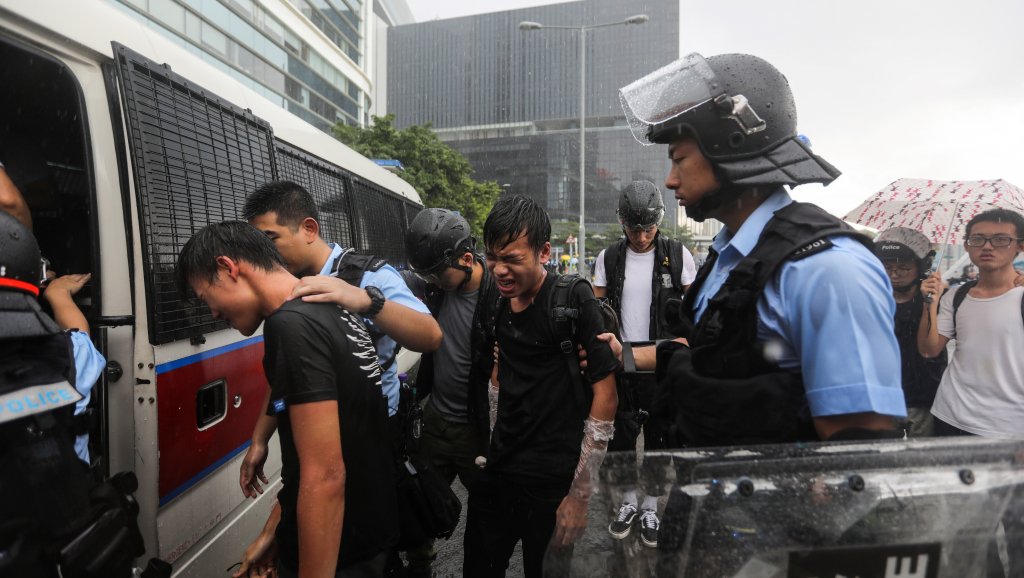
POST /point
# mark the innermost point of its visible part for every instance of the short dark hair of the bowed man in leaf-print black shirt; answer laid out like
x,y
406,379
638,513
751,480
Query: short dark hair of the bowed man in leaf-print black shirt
x,y
235,239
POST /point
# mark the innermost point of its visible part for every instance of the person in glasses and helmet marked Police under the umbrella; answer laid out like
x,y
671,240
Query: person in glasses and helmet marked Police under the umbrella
x,y
908,256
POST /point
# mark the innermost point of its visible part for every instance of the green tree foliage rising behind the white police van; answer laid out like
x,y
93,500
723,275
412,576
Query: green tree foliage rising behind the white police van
x,y
441,174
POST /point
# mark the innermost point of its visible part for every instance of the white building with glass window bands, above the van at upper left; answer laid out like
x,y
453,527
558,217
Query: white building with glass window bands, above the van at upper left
x,y
307,56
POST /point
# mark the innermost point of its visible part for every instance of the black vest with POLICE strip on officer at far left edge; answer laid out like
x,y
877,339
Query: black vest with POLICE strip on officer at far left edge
x,y
55,521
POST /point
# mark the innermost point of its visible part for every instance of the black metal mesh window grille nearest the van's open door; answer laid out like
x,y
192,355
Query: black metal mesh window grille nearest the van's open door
x,y
196,157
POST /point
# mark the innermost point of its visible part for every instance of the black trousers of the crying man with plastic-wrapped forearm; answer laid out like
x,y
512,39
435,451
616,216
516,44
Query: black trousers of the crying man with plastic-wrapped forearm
x,y
502,514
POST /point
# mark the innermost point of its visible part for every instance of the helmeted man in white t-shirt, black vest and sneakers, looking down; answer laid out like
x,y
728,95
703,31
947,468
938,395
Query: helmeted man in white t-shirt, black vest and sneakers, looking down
x,y
638,275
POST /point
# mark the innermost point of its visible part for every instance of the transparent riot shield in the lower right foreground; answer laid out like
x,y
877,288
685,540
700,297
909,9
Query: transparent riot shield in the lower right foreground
x,y
949,508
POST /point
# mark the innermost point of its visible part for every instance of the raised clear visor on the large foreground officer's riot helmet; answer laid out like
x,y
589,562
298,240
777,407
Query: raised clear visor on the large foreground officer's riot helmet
x,y
668,93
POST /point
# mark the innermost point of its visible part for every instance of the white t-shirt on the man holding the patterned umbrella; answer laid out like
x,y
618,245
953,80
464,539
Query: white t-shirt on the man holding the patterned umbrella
x,y
983,390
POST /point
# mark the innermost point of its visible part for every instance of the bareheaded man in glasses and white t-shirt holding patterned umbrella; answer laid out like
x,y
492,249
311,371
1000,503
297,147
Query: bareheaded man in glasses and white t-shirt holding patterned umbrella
x,y
983,391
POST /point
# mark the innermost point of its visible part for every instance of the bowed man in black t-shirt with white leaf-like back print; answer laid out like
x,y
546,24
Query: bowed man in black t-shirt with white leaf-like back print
x,y
337,513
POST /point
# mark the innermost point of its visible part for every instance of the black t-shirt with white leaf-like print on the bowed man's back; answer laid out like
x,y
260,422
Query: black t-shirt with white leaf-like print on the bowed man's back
x,y
316,353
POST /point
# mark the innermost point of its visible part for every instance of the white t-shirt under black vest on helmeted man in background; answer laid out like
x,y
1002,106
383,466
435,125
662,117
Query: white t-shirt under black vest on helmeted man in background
x,y
635,314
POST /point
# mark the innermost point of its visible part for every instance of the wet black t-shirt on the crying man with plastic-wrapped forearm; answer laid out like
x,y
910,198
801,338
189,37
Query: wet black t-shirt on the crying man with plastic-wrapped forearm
x,y
540,420
